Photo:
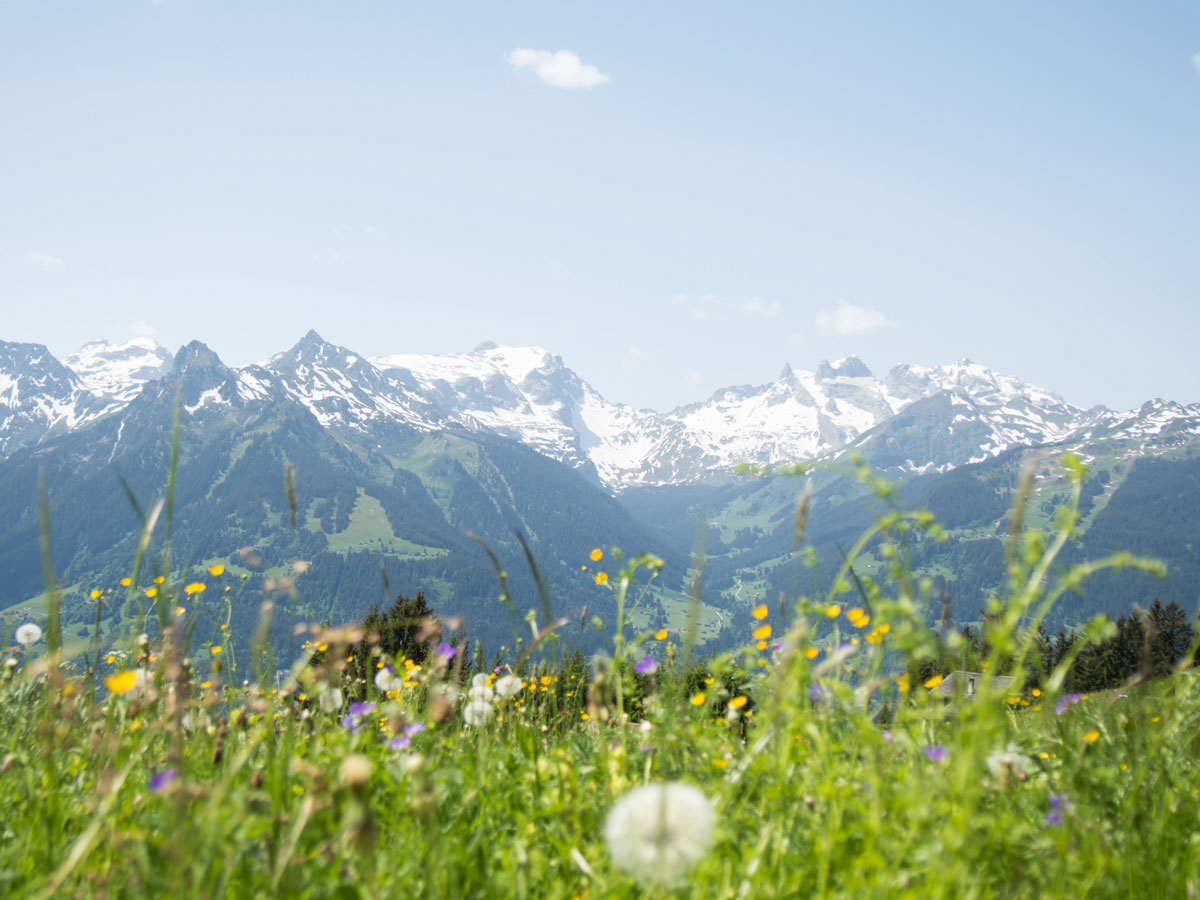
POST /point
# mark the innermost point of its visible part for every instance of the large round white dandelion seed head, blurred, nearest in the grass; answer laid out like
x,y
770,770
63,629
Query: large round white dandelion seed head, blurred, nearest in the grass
x,y
659,832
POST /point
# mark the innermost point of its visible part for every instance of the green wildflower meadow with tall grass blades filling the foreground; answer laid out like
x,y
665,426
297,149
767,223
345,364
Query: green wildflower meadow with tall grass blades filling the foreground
x,y
830,770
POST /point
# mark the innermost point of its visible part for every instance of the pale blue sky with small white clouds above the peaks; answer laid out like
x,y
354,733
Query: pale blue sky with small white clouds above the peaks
x,y
701,194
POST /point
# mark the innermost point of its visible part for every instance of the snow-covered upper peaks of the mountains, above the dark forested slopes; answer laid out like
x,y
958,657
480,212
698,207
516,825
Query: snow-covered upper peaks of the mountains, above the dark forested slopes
x,y
915,419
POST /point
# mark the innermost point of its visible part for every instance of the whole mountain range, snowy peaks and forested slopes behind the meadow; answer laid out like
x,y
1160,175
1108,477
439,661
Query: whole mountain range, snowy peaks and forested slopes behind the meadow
x,y
397,458
